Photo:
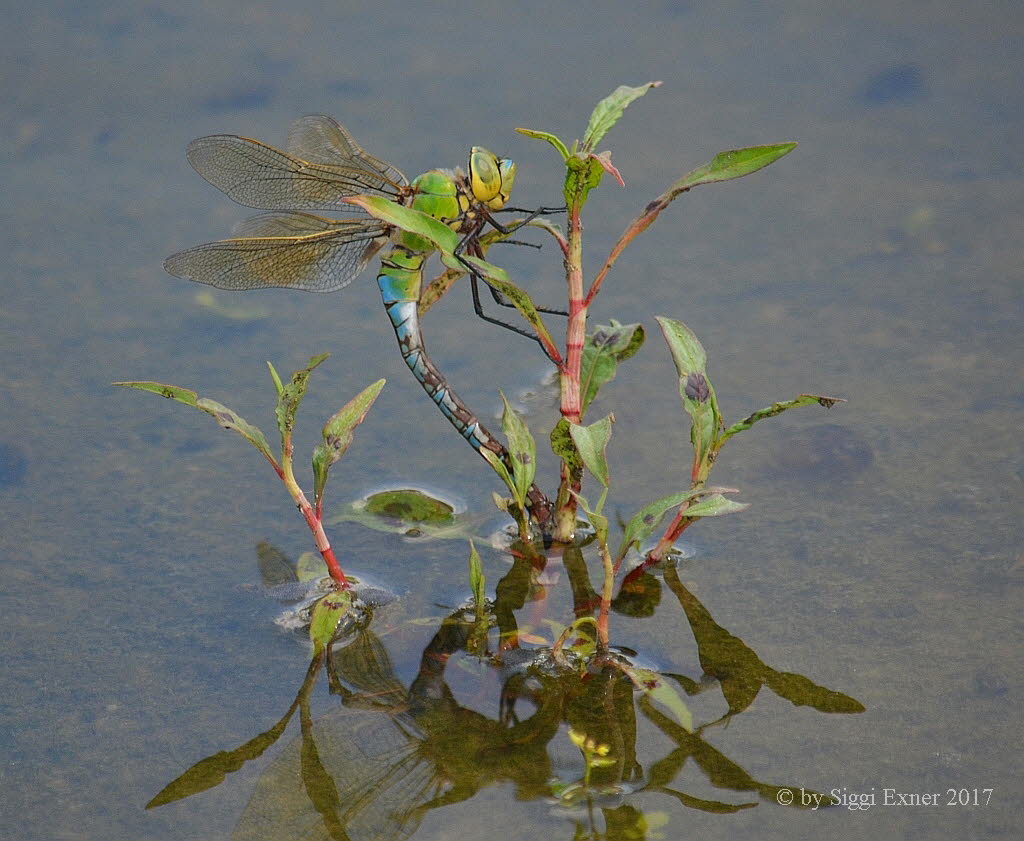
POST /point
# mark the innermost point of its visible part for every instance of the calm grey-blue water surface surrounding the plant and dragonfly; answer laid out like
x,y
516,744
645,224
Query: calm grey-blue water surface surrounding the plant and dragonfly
x,y
881,262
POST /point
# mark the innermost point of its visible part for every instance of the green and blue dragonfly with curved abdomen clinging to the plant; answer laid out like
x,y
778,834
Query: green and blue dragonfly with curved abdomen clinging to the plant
x,y
296,248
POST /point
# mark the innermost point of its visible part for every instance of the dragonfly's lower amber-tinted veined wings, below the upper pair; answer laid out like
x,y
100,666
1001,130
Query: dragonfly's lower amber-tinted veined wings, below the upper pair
x,y
317,255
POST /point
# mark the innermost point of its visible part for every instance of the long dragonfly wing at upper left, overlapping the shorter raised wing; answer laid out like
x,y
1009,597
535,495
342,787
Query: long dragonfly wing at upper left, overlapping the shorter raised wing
x,y
258,176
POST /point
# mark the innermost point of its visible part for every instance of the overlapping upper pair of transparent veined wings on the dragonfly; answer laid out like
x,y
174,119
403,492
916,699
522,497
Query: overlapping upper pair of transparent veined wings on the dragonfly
x,y
259,176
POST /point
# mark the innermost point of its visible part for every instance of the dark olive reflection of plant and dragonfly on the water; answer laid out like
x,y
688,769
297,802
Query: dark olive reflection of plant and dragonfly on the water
x,y
391,753
